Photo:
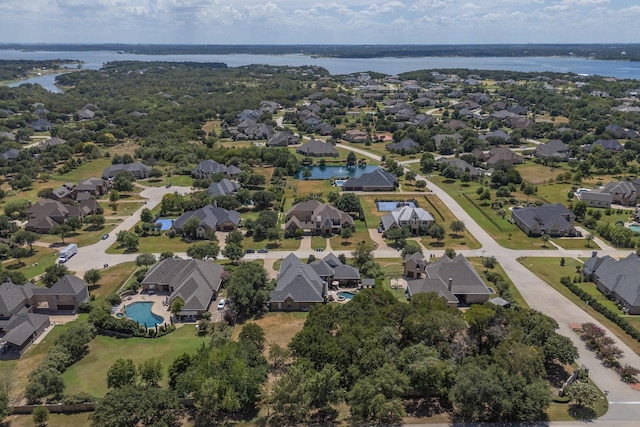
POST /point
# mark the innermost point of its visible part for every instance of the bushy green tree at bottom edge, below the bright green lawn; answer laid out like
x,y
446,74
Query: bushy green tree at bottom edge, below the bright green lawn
x,y
138,406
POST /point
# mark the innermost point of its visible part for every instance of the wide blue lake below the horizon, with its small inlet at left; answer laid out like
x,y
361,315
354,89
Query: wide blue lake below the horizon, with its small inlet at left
x,y
95,59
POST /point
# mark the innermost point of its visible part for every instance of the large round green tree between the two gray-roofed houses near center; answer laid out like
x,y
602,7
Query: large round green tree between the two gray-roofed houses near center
x,y
248,288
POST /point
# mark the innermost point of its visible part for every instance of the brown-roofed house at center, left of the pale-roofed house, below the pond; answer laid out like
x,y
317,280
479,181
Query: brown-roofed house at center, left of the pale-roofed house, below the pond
x,y
316,217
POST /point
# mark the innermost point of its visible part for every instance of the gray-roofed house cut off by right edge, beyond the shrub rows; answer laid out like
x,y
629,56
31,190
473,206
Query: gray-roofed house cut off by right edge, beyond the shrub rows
x,y
617,279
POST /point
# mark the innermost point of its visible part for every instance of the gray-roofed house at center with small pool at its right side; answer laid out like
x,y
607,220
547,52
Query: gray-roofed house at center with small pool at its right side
x,y
300,286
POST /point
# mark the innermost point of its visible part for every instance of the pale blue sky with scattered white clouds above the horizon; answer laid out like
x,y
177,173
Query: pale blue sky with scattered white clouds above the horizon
x,y
319,22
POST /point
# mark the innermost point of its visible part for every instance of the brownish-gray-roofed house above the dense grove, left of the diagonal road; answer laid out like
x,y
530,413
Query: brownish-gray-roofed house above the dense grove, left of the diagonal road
x,y
453,280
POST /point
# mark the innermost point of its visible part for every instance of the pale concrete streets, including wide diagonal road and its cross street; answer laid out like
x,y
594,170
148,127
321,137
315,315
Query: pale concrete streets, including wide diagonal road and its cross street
x,y
624,402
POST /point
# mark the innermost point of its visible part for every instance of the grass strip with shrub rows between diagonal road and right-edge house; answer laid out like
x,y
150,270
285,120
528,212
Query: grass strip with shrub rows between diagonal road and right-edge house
x,y
550,271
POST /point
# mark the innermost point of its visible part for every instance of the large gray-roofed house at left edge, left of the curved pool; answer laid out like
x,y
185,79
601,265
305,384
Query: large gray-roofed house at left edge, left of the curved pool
x,y
25,309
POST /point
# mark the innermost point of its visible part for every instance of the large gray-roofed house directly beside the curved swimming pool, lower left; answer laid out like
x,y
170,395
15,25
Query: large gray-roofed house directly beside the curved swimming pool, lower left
x,y
195,281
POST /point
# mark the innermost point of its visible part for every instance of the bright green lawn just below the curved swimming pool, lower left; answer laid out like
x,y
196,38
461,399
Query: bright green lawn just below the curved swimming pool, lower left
x,y
89,374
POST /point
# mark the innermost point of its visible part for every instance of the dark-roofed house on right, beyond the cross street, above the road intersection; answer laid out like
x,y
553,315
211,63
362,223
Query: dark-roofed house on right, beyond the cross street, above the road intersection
x,y
553,220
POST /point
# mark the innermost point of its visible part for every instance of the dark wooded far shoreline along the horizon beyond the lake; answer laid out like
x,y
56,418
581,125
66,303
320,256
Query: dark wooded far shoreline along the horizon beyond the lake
x,y
611,51
